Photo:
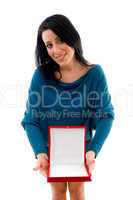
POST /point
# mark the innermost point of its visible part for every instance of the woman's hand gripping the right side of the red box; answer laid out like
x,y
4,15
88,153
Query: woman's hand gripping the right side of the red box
x,y
90,159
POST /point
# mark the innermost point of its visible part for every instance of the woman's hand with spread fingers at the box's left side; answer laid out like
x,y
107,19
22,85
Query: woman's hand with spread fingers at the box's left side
x,y
42,164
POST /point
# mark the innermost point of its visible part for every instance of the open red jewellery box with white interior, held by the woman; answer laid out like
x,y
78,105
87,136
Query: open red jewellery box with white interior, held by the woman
x,y
67,160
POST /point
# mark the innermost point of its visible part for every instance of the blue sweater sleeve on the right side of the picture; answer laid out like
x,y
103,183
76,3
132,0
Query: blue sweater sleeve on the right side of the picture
x,y
102,113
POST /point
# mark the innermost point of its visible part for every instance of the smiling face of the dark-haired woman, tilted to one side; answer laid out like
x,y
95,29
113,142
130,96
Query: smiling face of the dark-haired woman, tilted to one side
x,y
58,50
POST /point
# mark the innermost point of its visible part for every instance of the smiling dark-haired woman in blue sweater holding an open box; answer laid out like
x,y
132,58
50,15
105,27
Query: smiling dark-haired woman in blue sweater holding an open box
x,y
61,67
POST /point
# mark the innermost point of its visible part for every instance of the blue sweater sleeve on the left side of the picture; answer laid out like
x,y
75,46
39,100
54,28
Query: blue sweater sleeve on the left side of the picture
x,y
31,119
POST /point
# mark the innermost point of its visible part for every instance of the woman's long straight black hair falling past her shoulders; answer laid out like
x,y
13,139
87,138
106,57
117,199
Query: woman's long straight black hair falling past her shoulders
x,y
65,30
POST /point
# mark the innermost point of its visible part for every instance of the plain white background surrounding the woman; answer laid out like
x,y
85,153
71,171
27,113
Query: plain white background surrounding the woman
x,y
106,31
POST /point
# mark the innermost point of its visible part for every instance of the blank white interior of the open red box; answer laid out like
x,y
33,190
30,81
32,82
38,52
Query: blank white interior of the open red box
x,y
67,152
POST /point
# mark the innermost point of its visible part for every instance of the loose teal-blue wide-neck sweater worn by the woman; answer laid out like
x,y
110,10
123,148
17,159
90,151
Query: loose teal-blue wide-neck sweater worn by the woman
x,y
86,101
